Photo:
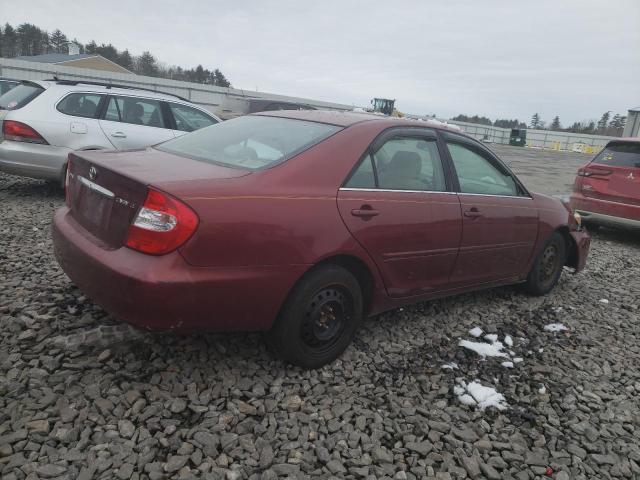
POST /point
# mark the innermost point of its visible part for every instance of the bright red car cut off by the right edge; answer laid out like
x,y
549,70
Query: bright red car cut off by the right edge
x,y
607,190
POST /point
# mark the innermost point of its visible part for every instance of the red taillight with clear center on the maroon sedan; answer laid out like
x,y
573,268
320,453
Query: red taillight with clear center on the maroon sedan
x,y
162,224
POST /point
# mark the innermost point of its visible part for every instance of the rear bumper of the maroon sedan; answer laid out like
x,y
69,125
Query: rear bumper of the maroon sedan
x,y
165,293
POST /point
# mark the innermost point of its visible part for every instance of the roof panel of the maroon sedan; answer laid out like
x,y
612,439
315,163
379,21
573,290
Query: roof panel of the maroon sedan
x,y
347,118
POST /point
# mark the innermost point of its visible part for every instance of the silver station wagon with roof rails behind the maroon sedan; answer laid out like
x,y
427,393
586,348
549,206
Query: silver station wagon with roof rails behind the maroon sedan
x,y
42,122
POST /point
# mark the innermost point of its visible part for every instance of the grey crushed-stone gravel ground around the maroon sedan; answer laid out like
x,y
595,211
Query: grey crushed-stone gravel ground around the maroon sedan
x,y
82,396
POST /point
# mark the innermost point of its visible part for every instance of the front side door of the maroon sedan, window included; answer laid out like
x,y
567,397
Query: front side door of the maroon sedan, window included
x,y
499,218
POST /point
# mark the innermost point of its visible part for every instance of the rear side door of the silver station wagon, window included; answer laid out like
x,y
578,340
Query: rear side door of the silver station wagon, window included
x,y
134,122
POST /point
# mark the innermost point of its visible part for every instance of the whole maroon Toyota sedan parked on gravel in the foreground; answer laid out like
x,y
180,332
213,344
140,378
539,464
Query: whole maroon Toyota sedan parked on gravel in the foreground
x,y
301,223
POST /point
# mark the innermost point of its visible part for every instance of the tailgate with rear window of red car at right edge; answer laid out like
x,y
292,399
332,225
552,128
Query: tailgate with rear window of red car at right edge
x,y
614,174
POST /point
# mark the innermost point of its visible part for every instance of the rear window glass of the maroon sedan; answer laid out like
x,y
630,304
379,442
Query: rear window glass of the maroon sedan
x,y
250,142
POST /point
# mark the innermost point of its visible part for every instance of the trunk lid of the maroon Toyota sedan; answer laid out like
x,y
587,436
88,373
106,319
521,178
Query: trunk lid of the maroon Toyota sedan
x,y
106,189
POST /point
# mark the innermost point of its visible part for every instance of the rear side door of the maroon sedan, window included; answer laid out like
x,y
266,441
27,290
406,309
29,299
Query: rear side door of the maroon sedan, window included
x,y
398,205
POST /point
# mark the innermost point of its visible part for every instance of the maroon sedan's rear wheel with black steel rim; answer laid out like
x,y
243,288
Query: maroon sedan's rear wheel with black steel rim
x,y
319,318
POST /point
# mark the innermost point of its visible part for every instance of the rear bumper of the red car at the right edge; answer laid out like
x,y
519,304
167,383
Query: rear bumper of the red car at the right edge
x,y
606,212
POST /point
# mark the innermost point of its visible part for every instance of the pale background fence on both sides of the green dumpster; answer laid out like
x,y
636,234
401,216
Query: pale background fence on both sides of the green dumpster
x,y
551,140
